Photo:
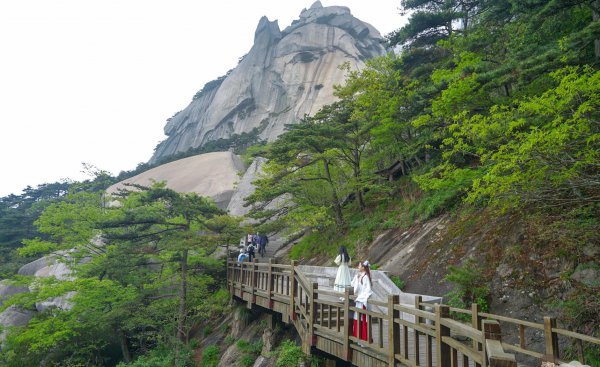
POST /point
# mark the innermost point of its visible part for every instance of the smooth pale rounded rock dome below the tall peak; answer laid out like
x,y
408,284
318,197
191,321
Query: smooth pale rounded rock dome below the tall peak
x,y
213,175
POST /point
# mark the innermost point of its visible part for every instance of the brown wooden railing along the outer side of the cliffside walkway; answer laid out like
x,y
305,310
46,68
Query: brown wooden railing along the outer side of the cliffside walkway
x,y
414,335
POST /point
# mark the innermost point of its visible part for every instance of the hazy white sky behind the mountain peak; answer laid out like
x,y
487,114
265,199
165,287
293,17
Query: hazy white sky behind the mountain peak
x,y
95,80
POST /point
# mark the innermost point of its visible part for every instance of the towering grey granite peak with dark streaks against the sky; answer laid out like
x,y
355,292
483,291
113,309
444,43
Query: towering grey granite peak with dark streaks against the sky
x,y
286,75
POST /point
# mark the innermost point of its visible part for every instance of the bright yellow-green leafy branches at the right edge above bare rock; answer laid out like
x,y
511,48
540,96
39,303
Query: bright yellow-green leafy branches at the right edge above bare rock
x,y
548,150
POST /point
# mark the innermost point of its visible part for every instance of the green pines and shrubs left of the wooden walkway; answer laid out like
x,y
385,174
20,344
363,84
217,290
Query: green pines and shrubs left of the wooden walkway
x,y
120,293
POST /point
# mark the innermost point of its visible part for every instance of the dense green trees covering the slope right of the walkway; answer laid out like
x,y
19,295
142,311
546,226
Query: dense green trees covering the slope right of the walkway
x,y
490,106
